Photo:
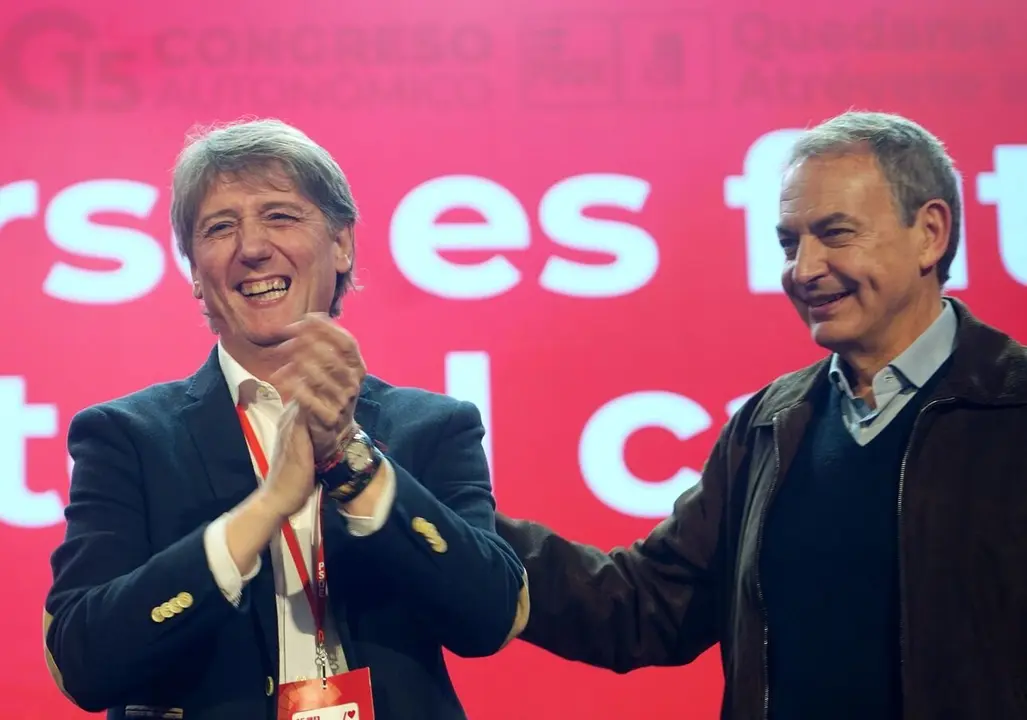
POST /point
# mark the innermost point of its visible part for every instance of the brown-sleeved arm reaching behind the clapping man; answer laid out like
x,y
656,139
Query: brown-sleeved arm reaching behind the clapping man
x,y
656,603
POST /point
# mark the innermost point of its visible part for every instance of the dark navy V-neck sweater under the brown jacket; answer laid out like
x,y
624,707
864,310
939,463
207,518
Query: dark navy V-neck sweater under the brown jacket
x,y
829,572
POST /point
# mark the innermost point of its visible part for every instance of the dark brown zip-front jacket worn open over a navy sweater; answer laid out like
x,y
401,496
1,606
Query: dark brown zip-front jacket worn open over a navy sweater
x,y
695,581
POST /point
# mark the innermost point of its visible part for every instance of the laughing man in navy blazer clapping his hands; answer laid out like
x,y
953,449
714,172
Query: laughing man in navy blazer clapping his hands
x,y
198,508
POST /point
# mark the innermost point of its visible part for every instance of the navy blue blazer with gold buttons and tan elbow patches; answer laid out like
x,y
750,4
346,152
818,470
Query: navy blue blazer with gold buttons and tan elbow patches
x,y
154,469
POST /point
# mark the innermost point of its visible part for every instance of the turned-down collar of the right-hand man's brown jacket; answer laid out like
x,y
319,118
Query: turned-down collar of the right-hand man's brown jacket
x,y
988,368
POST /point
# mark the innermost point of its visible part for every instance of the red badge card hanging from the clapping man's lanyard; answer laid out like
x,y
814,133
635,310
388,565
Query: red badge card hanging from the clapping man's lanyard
x,y
345,697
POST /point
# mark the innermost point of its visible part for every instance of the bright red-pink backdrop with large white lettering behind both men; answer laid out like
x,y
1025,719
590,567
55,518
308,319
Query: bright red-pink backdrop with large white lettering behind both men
x,y
568,219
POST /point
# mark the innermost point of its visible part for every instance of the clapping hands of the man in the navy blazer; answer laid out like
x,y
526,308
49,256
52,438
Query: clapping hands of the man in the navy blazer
x,y
320,383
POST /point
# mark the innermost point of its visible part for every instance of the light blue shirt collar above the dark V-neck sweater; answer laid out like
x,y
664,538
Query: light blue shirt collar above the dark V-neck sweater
x,y
899,382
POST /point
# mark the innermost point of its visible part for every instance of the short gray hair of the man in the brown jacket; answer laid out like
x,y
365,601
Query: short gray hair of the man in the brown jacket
x,y
914,161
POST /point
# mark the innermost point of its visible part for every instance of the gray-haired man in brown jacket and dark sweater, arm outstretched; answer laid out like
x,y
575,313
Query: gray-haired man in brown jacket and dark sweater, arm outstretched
x,y
857,543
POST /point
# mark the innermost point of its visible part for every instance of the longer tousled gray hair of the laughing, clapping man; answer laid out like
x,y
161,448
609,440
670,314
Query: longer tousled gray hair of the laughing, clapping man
x,y
260,147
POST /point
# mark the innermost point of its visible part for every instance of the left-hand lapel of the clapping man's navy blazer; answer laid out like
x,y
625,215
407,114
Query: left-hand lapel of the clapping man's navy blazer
x,y
215,429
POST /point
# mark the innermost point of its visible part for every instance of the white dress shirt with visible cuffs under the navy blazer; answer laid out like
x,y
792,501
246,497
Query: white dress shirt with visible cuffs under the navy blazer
x,y
296,625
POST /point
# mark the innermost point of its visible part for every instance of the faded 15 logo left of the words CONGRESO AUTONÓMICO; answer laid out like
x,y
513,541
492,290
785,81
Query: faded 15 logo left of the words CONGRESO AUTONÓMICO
x,y
57,61
